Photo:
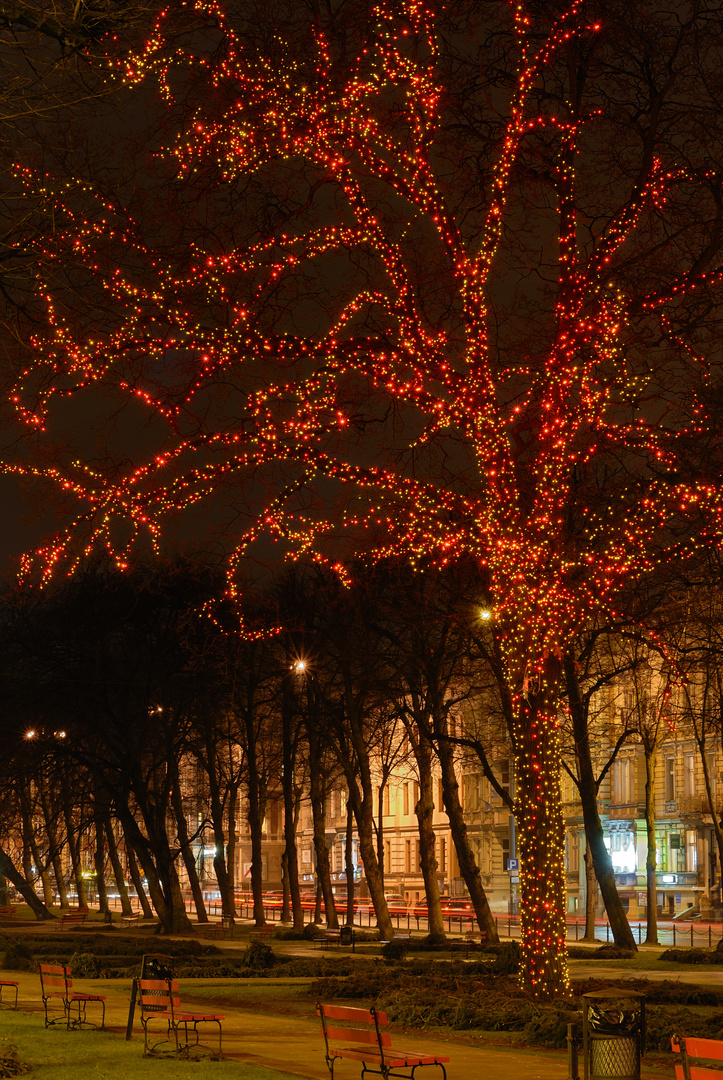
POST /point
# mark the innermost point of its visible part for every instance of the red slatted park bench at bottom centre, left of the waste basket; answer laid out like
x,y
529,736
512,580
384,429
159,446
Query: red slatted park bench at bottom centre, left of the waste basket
x,y
367,1030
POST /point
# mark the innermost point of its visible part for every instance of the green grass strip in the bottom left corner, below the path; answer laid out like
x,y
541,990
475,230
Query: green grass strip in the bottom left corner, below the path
x,y
59,1055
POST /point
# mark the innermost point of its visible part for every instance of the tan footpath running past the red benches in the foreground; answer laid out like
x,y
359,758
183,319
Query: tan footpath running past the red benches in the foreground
x,y
294,1046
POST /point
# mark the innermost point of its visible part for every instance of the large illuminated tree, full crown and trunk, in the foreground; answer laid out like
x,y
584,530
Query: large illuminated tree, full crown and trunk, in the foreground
x,y
408,277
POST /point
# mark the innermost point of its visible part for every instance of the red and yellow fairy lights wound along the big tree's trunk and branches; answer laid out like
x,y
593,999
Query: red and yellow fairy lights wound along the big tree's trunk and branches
x,y
367,123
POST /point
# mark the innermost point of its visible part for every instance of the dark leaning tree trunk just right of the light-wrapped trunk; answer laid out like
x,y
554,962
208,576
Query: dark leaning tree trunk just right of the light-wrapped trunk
x,y
594,830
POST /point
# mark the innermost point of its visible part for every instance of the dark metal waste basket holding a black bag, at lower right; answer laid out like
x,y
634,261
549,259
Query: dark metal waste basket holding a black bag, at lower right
x,y
613,1035
